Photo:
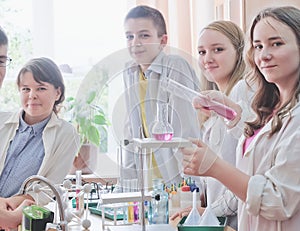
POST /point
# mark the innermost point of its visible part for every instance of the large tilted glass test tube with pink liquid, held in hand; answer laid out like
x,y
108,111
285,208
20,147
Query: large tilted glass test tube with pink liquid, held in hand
x,y
188,94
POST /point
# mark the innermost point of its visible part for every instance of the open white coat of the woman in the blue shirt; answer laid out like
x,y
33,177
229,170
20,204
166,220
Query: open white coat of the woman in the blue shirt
x,y
61,143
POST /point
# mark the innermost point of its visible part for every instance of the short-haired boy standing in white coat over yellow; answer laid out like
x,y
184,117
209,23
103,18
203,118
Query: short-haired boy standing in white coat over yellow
x,y
146,35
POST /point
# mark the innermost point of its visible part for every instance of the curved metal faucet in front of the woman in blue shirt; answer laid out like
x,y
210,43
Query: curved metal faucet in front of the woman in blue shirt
x,y
26,183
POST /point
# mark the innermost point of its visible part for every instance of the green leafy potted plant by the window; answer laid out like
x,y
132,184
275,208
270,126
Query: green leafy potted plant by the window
x,y
91,122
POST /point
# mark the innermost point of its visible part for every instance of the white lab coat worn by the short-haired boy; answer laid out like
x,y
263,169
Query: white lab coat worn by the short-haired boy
x,y
182,115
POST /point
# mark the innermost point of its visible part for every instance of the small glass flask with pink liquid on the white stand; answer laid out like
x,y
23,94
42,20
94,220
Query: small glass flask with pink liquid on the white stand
x,y
162,129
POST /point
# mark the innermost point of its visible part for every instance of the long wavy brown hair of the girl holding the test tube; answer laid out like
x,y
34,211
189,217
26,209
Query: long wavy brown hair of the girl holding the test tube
x,y
268,95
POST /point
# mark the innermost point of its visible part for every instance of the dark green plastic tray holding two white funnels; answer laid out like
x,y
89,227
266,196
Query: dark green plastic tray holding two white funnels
x,y
223,222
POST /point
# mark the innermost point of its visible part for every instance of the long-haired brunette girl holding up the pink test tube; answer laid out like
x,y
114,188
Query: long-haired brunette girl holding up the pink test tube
x,y
266,178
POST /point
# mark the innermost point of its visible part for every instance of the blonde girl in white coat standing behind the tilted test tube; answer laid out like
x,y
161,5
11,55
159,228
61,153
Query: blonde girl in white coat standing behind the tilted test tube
x,y
220,48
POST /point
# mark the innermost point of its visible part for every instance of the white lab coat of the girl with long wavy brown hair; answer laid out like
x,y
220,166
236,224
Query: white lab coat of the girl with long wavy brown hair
x,y
273,195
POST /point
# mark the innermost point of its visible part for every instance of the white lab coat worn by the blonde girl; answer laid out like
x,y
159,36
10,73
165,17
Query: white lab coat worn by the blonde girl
x,y
216,135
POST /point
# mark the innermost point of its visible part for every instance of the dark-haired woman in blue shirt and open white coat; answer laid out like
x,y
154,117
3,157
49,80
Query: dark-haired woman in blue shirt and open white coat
x,y
35,141
